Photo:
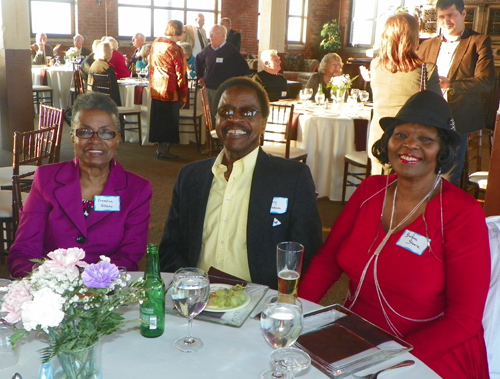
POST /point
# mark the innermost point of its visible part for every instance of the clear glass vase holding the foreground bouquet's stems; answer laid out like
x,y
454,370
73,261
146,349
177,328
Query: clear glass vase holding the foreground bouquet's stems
x,y
75,364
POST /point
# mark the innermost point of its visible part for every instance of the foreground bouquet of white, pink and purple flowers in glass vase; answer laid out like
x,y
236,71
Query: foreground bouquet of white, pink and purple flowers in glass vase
x,y
74,304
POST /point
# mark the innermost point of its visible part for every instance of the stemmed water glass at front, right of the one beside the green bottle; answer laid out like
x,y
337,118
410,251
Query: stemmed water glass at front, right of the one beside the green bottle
x,y
281,323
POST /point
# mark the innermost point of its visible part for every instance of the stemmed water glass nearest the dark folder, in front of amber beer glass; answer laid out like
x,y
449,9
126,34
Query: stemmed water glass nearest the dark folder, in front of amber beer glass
x,y
281,323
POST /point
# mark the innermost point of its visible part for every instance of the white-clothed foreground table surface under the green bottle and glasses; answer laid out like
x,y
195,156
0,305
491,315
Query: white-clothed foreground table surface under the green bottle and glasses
x,y
229,352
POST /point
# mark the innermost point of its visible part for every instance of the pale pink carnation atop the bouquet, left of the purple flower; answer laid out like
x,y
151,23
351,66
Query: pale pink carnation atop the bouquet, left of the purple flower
x,y
66,262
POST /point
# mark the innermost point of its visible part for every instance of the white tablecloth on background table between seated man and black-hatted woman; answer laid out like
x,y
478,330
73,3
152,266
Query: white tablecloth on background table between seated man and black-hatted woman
x,y
327,138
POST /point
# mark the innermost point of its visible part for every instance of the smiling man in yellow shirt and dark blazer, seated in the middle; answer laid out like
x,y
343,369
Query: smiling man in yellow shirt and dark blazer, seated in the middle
x,y
230,212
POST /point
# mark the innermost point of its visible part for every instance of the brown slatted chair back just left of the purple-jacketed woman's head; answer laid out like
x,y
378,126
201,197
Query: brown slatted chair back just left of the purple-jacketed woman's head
x,y
34,147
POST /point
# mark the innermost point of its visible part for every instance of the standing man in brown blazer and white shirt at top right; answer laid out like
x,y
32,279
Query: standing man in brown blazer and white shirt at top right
x,y
465,67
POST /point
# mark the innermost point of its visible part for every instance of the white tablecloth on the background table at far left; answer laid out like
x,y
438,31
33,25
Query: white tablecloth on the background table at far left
x,y
59,78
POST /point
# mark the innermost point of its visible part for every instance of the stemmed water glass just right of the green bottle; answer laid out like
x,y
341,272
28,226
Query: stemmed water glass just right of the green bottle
x,y
190,291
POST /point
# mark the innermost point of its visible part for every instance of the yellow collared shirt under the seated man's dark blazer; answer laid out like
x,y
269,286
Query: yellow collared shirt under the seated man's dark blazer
x,y
224,239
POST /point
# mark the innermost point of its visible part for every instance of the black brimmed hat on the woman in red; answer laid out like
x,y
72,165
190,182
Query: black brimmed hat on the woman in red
x,y
428,109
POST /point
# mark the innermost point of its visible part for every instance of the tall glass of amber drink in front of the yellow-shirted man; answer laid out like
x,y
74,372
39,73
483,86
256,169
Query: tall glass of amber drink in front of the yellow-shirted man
x,y
289,258
